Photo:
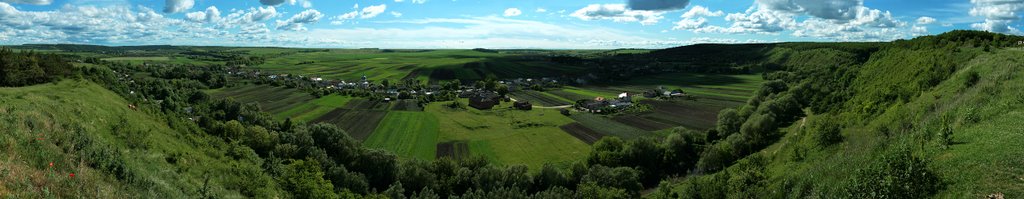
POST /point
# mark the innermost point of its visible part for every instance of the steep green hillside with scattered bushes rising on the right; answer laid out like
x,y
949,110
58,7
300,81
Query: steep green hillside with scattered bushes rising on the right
x,y
931,117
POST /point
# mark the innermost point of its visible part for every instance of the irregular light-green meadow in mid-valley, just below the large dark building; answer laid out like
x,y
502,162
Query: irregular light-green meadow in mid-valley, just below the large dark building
x,y
510,137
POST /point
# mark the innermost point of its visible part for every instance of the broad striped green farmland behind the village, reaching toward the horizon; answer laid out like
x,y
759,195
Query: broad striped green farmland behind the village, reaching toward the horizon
x,y
422,65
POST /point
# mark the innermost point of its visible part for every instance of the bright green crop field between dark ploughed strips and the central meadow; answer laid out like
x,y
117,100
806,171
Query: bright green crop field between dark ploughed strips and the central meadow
x,y
410,135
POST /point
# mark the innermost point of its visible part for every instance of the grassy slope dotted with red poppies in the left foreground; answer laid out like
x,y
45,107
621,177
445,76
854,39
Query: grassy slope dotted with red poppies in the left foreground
x,y
113,151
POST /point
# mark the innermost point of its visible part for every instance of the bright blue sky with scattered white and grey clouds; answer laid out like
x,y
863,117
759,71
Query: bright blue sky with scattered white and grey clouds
x,y
492,24
